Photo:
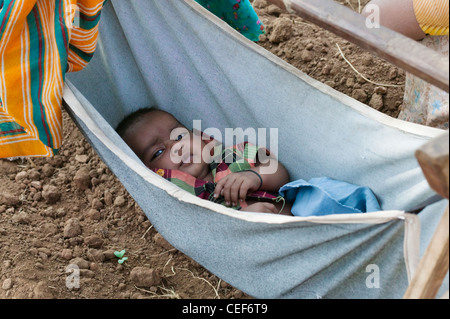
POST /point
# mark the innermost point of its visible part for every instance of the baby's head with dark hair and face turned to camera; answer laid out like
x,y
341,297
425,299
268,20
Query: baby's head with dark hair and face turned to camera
x,y
160,141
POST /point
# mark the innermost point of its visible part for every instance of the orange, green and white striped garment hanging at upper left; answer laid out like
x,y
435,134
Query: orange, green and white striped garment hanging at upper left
x,y
40,40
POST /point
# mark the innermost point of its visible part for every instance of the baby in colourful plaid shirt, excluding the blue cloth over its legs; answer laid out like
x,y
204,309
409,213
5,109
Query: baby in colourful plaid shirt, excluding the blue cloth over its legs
x,y
168,147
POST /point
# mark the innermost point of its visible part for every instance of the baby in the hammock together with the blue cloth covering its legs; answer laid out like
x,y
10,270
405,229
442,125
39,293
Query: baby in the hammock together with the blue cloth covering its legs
x,y
244,176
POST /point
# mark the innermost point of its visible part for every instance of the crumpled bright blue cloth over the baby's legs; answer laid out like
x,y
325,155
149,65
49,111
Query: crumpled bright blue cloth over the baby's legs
x,y
324,196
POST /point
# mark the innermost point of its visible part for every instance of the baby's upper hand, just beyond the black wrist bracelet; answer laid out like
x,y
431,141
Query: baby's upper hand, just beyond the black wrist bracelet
x,y
236,186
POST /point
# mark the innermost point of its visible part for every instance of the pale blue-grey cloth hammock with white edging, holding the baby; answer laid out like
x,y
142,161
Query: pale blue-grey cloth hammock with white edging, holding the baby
x,y
177,55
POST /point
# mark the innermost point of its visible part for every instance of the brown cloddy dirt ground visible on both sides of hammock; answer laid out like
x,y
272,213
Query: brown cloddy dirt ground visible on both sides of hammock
x,y
71,209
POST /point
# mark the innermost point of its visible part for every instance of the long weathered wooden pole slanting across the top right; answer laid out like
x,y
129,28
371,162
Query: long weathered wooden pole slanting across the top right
x,y
389,45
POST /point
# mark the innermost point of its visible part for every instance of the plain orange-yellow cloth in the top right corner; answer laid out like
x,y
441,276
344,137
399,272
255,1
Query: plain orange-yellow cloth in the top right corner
x,y
432,16
